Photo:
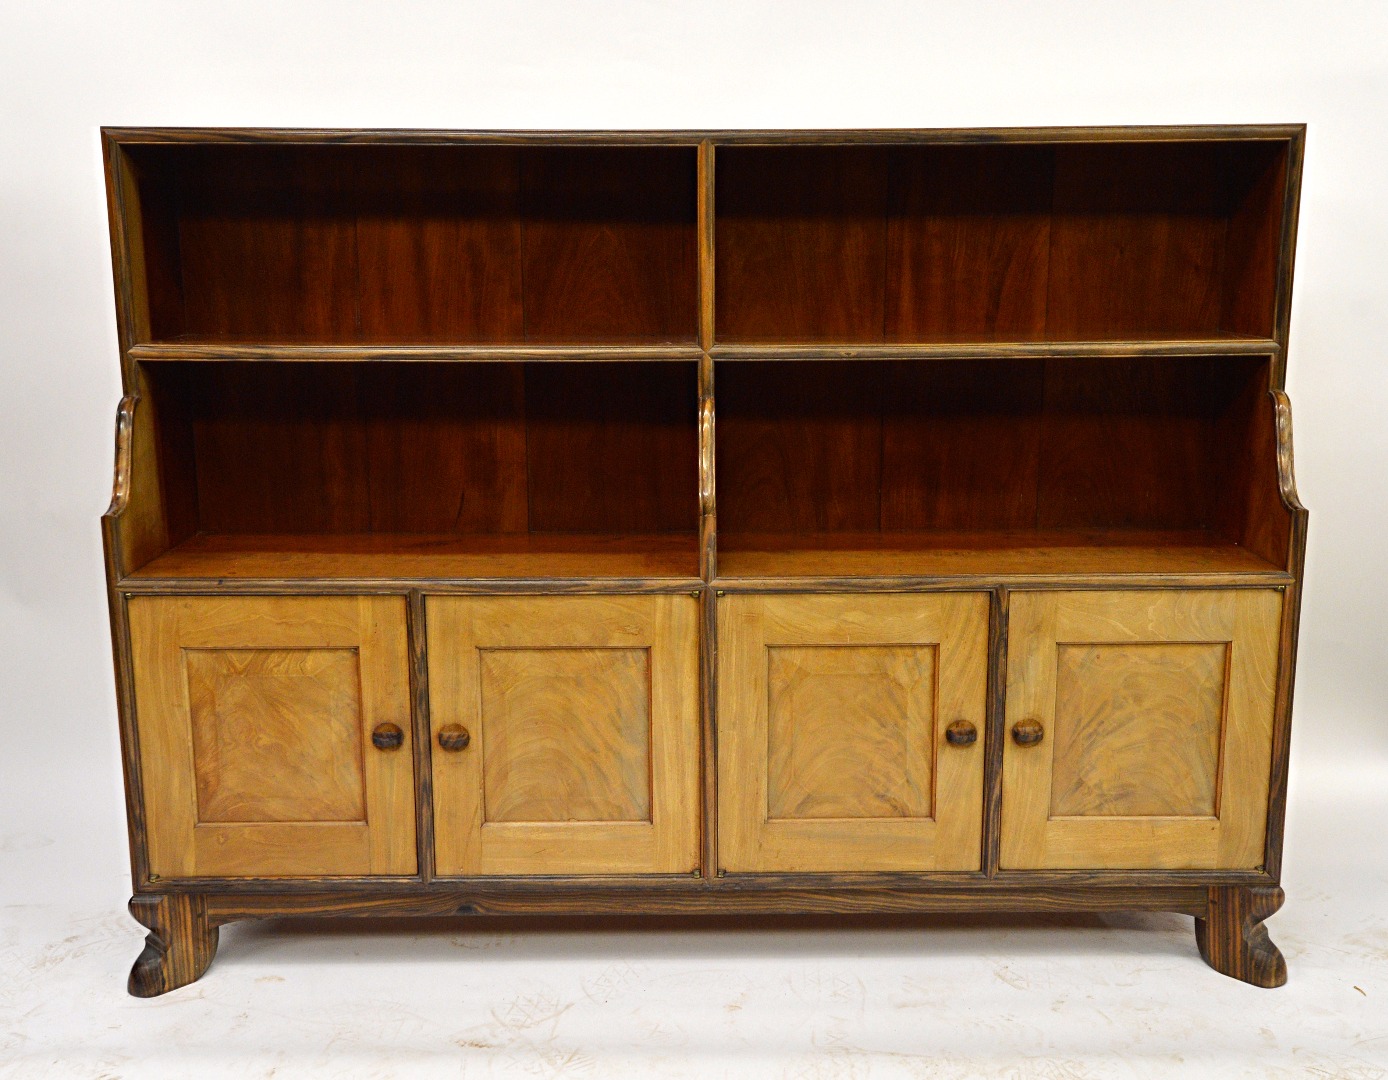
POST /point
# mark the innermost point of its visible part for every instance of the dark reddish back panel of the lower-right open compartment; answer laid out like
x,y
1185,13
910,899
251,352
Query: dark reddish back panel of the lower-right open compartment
x,y
1133,444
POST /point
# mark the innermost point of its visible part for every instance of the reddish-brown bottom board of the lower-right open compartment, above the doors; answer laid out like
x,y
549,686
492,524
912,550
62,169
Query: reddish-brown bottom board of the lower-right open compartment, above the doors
x,y
1029,555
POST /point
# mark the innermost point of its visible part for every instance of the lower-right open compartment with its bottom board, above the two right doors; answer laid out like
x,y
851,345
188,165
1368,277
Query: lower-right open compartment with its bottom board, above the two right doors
x,y
1018,466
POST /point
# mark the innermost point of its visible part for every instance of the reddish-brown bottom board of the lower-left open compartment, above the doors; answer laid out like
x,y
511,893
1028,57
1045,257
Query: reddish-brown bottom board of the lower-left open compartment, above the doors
x,y
384,556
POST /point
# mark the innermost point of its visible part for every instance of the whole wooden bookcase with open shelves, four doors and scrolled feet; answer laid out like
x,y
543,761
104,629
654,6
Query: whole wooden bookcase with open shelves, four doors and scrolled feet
x,y
885,521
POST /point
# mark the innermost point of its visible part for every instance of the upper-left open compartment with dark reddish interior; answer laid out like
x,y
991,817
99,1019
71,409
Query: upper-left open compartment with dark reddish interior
x,y
391,245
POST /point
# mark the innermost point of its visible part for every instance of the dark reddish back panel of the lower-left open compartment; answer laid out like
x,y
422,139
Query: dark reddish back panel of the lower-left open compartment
x,y
438,448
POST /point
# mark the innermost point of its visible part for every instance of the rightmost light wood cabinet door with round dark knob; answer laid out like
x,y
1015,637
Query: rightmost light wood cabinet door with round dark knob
x,y
1156,721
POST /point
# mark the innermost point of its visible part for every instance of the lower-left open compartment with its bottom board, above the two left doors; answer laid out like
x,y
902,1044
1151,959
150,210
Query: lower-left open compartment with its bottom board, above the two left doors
x,y
474,471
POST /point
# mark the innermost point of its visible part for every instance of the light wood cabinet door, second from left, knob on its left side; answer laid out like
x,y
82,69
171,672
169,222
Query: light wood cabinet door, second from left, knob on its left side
x,y
566,734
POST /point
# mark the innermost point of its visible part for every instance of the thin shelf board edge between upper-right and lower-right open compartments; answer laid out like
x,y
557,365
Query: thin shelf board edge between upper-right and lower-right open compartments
x,y
1232,345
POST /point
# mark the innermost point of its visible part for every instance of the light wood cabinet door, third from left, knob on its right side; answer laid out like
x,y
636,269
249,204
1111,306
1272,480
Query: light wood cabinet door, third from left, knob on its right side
x,y
832,732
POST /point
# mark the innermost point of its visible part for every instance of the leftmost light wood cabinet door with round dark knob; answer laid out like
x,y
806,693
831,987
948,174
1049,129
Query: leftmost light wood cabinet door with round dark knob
x,y
256,721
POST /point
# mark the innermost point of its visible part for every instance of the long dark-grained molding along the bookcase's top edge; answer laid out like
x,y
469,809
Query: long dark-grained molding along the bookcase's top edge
x,y
1136,134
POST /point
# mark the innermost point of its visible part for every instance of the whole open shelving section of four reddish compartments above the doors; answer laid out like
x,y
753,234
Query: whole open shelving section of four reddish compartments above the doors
x,y
1035,356
